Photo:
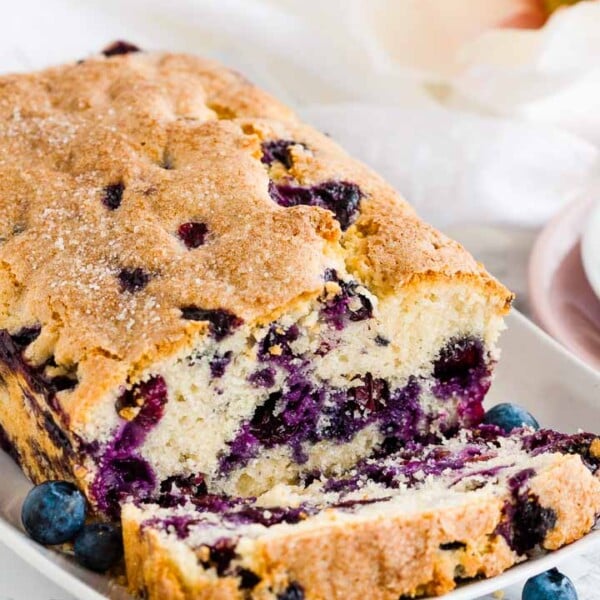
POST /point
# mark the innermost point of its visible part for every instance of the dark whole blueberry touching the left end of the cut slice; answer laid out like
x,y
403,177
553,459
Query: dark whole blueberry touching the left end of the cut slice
x,y
99,546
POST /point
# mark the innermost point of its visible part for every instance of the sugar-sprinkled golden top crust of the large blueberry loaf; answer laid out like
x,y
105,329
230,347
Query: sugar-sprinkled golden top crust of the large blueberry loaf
x,y
137,186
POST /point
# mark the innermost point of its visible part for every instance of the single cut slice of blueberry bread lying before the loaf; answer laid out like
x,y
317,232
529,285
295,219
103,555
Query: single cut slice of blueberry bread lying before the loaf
x,y
413,523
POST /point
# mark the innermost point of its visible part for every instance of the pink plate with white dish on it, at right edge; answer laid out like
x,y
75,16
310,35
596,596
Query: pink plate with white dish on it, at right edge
x,y
564,279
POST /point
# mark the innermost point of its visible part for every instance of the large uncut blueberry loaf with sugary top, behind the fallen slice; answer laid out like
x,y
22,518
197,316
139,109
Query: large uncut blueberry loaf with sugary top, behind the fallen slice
x,y
193,283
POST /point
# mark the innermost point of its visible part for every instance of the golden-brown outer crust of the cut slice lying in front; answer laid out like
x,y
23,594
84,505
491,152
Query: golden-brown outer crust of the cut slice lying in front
x,y
381,558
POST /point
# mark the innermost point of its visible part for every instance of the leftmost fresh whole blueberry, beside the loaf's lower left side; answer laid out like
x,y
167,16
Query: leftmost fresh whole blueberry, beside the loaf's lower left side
x,y
53,512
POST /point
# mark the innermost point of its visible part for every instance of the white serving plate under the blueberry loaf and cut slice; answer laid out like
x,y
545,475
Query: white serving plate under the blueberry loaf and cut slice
x,y
534,371
